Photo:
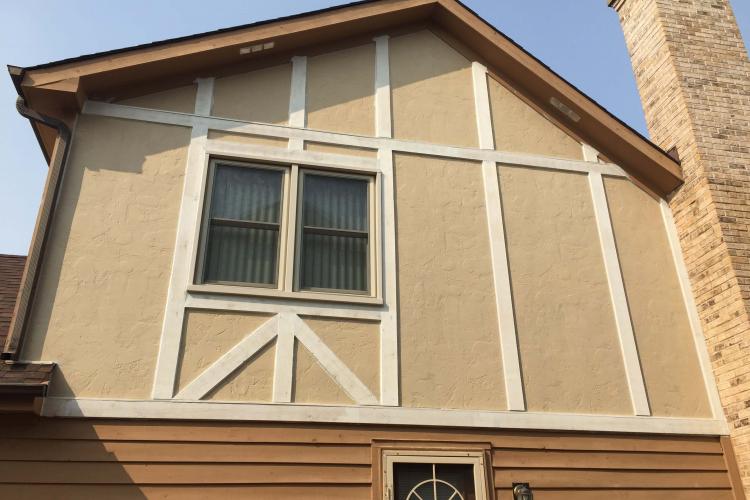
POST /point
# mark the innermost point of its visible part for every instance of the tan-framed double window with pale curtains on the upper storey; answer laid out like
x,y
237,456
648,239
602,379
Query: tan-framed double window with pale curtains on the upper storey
x,y
288,228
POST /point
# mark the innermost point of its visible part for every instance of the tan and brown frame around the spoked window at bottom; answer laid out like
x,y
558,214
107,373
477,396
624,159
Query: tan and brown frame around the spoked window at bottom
x,y
474,457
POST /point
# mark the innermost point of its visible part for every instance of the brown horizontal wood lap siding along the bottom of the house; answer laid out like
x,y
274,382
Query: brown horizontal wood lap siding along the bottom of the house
x,y
160,459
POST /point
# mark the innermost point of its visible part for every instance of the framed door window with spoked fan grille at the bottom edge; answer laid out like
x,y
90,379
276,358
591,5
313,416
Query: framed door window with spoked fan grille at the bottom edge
x,y
431,476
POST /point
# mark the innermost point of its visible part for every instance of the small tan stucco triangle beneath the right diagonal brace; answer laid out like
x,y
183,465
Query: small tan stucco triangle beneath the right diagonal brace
x,y
311,382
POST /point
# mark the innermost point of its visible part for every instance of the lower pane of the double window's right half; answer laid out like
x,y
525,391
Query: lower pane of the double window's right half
x,y
333,262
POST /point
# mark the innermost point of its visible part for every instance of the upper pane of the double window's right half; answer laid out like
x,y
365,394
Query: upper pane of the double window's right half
x,y
335,202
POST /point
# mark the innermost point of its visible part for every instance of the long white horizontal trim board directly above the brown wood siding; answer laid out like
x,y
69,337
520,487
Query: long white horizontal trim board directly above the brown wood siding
x,y
199,410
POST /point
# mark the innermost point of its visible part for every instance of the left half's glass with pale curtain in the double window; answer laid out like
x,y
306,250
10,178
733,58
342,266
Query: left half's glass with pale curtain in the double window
x,y
243,233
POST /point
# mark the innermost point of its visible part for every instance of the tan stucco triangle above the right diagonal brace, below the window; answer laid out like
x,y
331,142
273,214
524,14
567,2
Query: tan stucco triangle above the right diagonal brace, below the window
x,y
356,343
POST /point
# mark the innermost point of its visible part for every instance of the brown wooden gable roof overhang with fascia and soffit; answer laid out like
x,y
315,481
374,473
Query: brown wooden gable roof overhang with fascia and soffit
x,y
61,86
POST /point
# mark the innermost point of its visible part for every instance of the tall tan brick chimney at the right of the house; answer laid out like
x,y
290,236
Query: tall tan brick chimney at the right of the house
x,y
693,74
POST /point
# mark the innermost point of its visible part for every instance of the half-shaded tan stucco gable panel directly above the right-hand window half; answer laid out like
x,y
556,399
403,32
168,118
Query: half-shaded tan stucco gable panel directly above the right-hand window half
x,y
341,91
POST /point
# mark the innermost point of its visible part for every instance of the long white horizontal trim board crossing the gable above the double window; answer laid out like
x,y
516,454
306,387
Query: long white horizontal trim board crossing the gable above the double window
x,y
286,132
